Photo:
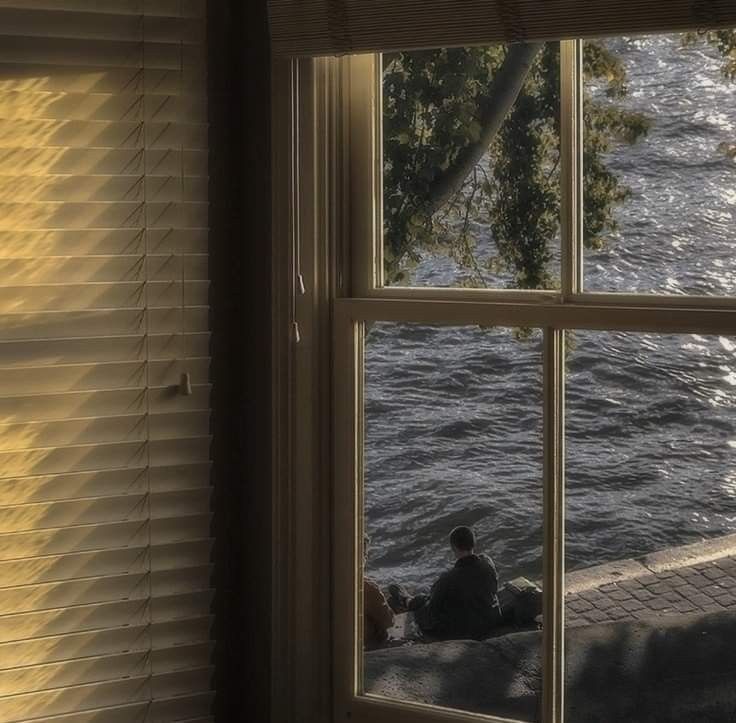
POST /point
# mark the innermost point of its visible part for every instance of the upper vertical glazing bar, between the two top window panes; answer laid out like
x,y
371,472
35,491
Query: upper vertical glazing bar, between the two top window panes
x,y
571,166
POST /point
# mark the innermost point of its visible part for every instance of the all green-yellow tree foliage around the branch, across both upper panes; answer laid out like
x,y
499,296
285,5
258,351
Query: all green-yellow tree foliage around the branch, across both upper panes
x,y
434,104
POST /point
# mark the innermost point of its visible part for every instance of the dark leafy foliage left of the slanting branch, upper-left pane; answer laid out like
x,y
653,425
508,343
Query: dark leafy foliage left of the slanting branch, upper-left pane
x,y
431,108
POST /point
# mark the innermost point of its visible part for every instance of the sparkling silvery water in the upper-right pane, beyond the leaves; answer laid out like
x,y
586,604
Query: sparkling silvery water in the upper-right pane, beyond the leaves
x,y
676,233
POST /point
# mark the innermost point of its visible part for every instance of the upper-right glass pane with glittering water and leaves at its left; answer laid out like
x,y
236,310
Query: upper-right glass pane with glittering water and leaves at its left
x,y
660,170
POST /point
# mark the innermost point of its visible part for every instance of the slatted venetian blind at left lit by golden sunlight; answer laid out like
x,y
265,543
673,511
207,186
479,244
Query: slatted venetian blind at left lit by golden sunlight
x,y
105,549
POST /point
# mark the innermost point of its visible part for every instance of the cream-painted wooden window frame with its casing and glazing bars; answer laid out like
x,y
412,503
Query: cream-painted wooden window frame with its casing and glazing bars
x,y
335,223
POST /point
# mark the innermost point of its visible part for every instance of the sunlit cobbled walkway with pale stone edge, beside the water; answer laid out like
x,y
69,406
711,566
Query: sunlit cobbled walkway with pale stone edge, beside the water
x,y
690,579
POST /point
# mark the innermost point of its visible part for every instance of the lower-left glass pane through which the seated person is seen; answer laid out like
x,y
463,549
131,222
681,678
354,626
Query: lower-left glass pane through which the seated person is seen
x,y
453,444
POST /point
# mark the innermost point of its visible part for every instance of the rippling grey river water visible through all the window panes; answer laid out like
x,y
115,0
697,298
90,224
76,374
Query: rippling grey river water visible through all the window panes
x,y
453,415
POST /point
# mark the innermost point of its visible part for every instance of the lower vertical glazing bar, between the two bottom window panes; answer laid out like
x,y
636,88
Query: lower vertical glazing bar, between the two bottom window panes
x,y
554,527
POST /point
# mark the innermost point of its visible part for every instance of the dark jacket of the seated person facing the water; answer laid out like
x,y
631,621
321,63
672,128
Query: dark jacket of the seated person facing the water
x,y
462,603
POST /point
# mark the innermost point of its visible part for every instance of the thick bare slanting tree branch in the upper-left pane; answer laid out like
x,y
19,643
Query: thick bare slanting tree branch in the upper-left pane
x,y
496,102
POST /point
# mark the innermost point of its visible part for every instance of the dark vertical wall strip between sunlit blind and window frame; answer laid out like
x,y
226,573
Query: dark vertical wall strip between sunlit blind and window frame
x,y
240,297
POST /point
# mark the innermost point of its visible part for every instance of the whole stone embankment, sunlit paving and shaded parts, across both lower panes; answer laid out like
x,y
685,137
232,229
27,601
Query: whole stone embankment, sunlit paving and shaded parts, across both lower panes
x,y
650,640
